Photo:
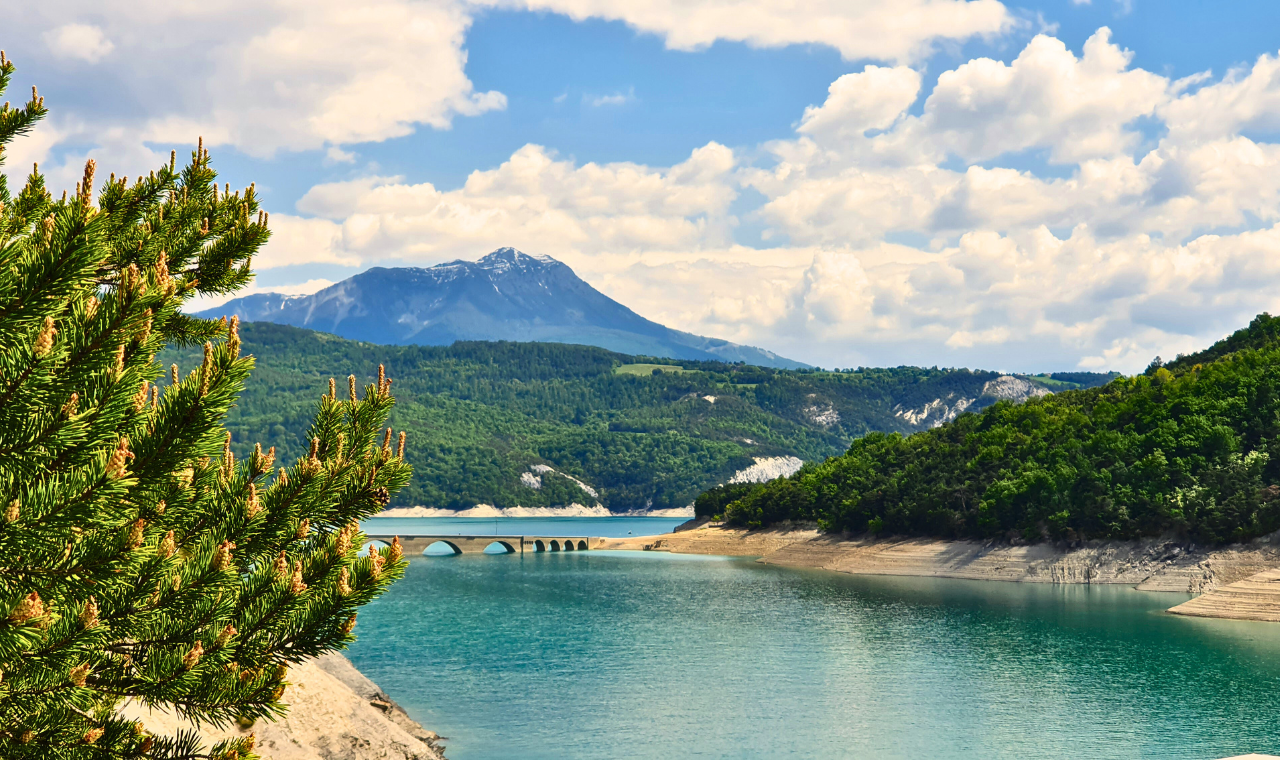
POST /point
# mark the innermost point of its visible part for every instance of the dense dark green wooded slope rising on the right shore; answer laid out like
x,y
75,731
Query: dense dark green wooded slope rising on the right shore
x,y
1190,448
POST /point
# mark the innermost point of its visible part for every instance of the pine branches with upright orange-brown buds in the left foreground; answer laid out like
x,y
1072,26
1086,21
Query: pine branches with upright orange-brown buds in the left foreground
x,y
140,558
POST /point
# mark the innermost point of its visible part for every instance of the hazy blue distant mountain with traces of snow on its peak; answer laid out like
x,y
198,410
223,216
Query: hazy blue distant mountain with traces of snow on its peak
x,y
506,296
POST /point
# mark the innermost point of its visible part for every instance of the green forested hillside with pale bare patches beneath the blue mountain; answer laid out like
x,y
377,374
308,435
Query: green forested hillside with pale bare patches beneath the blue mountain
x,y
487,420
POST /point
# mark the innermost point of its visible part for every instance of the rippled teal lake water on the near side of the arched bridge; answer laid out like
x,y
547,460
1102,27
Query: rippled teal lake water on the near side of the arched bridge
x,y
641,656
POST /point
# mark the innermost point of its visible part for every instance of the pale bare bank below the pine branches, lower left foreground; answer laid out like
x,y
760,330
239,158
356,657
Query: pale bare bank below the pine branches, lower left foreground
x,y
336,713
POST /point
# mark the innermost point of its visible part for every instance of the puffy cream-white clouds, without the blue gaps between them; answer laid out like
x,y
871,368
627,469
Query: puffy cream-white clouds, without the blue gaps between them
x,y
1060,210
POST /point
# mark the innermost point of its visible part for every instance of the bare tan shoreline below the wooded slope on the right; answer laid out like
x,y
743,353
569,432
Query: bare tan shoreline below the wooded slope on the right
x,y
1238,582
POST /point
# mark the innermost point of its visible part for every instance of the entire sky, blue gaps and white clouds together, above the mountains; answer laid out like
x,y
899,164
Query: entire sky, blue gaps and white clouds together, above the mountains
x,y
838,196
